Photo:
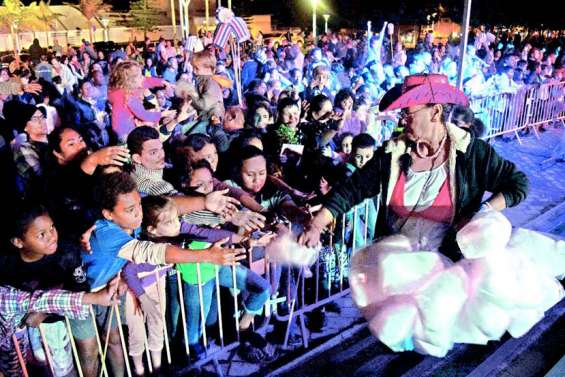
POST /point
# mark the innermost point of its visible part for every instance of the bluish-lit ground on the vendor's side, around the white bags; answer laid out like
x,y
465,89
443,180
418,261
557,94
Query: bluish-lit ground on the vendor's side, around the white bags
x,y
356,353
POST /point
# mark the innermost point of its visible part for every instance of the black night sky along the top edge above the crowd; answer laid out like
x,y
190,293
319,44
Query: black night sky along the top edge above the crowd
x,y
355,13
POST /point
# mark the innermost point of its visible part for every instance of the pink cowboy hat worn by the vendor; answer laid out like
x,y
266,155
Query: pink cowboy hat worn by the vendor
x,y
421,90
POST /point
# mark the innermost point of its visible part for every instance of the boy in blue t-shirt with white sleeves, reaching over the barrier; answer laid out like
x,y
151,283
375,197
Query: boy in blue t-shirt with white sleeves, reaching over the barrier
x,y
114,242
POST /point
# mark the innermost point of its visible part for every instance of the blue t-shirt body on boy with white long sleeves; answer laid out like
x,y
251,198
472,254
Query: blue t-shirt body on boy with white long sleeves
x,y
103,263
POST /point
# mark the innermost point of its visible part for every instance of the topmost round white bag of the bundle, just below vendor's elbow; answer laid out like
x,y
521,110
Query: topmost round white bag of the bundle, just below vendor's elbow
x,y
487,231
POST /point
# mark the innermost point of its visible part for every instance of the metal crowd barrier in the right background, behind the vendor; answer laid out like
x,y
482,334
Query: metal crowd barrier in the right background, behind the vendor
x,y
527,108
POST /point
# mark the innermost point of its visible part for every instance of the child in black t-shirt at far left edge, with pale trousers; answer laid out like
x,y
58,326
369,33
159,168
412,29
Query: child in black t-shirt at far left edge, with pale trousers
x,y
41,261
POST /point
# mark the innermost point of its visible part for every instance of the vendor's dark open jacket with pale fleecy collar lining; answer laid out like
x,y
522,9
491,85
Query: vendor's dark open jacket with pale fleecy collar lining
x,y
474,167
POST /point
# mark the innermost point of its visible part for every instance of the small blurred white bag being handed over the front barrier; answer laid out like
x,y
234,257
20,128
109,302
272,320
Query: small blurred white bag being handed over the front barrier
x,y
284,249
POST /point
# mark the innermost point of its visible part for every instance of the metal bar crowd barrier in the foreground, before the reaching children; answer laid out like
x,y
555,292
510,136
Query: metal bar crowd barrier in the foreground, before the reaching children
x,y
300,304
